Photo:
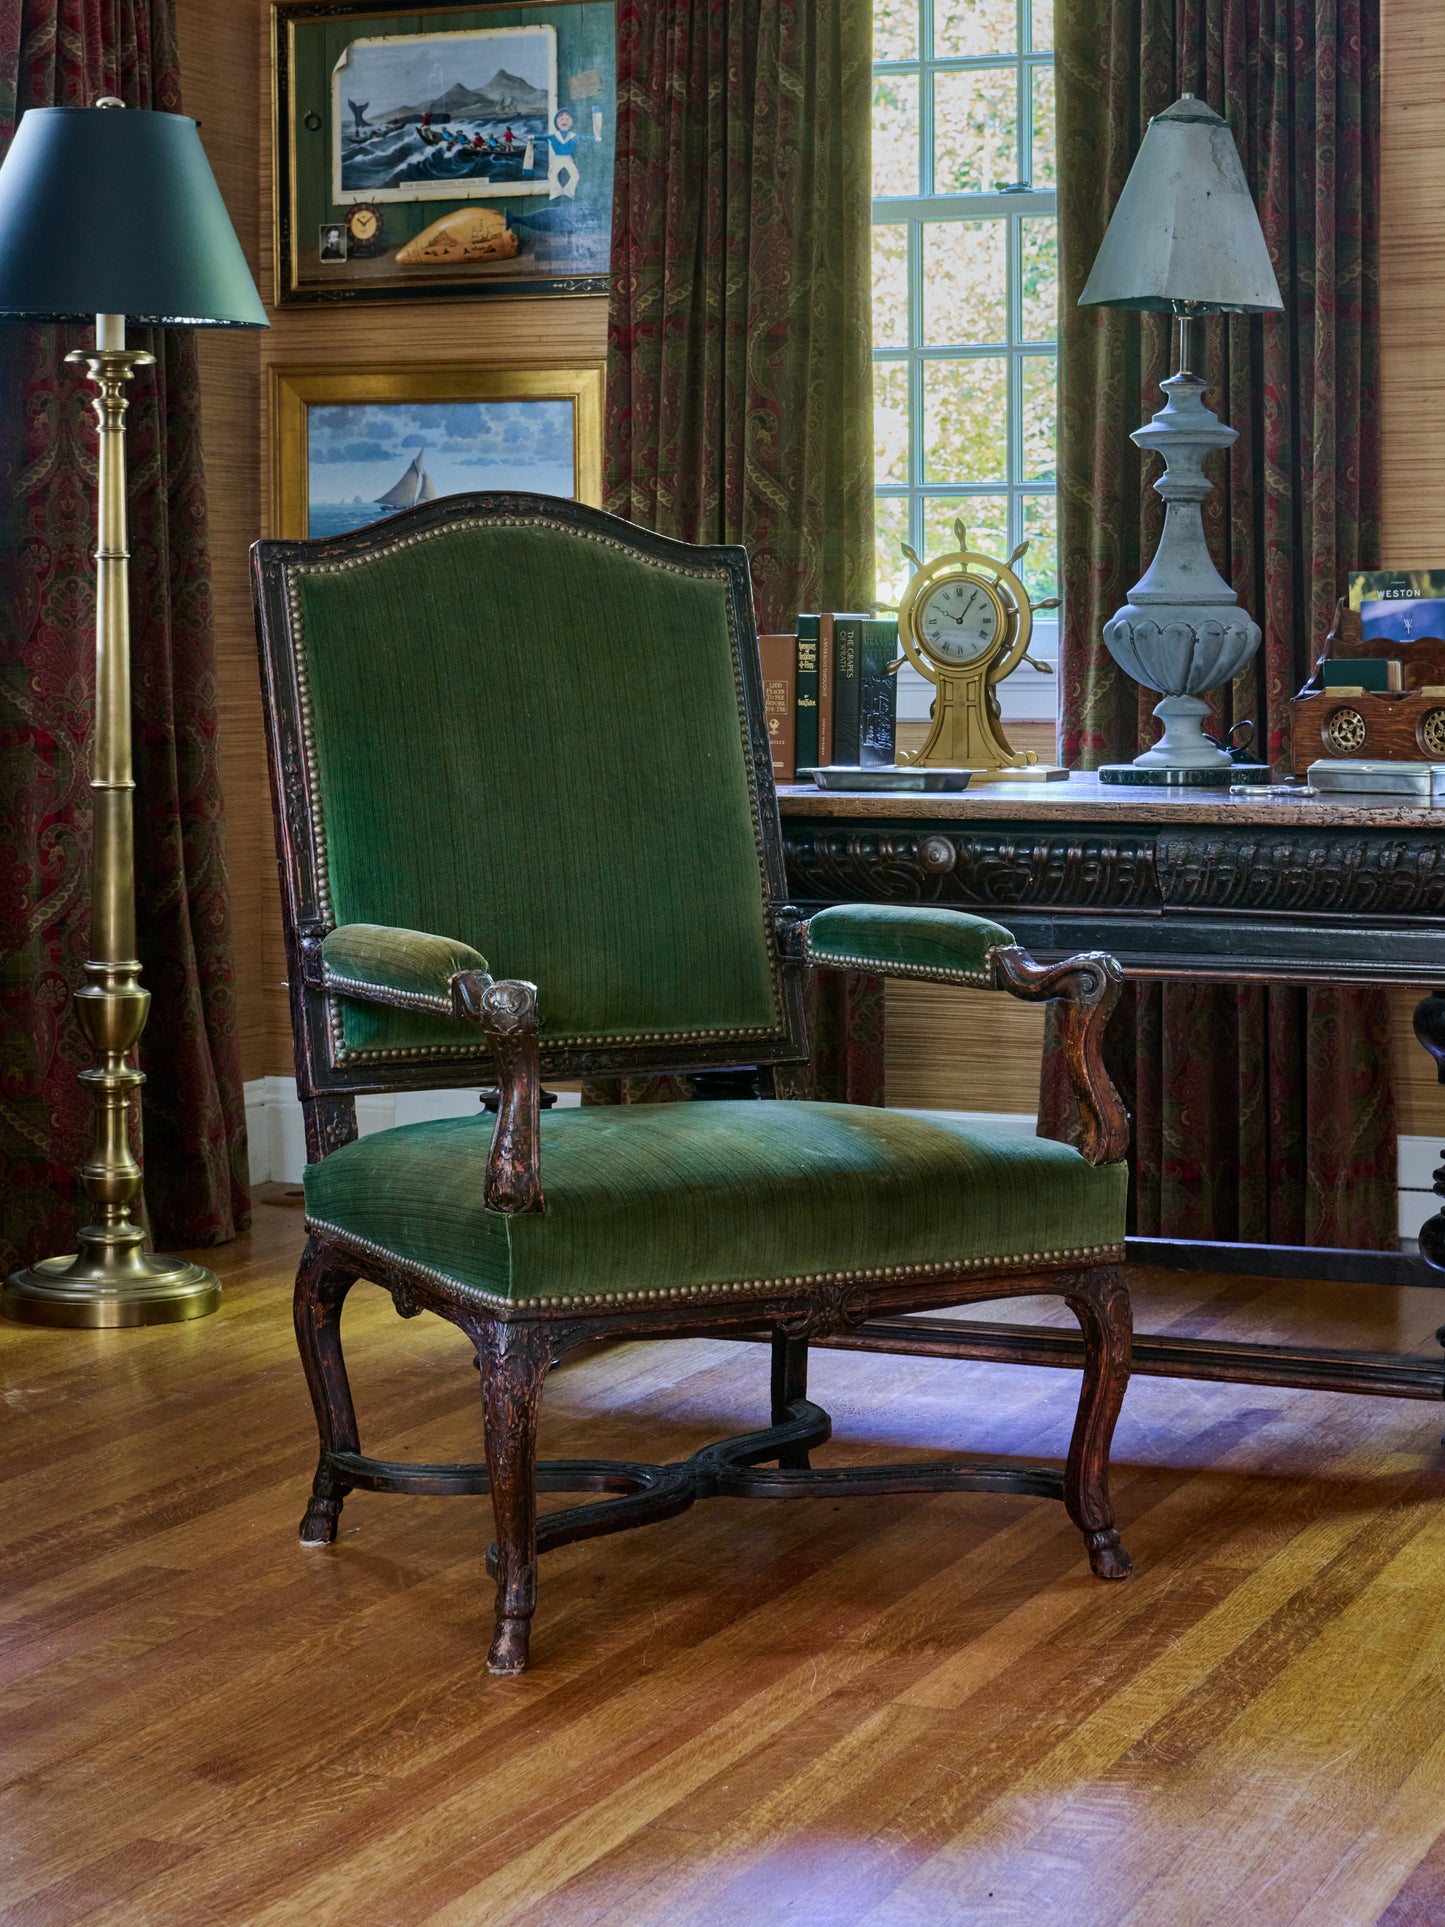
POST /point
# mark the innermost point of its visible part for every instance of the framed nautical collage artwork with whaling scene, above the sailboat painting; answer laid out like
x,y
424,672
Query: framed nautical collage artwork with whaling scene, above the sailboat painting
x,y
442,151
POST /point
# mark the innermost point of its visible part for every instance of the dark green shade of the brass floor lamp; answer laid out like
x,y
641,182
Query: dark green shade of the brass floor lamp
x,y
115,211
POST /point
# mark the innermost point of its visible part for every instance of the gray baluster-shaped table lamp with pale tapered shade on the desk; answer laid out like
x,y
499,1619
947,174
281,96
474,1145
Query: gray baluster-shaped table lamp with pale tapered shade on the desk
x,y
1184,240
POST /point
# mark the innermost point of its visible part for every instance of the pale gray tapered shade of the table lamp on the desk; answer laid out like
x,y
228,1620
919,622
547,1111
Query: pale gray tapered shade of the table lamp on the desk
x,y
1186,226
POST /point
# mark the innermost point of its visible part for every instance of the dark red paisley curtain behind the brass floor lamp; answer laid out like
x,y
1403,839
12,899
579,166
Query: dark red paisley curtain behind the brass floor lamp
x,y
65,53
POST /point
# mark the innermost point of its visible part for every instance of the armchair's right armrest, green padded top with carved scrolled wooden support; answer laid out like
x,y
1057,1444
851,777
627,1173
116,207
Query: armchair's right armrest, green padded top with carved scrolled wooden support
x,y
953,947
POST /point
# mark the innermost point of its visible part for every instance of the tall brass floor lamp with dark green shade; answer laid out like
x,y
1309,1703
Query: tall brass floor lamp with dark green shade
x,y
115,215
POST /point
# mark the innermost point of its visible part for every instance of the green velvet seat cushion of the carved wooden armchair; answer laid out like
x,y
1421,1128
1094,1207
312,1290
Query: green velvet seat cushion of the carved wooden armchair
x,y
675,1200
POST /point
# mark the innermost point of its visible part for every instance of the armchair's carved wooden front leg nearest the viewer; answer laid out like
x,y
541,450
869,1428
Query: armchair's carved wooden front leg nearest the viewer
x,y
515,1361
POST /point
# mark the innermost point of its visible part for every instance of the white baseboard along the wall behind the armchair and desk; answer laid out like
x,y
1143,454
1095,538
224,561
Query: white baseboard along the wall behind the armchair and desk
x,y
278,1142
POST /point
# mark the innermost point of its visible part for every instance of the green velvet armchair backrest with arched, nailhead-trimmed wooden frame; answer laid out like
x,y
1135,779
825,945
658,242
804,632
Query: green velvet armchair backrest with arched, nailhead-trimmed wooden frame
x,y
527,726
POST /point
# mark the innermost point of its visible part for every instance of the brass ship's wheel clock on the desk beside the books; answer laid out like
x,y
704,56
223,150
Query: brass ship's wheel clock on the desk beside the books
x,y
966,623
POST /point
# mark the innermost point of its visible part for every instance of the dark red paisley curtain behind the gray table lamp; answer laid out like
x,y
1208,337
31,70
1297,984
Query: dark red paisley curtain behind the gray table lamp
x,y
1261,1113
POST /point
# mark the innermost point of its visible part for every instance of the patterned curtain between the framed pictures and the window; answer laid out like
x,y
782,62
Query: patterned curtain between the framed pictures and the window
x,y
741,336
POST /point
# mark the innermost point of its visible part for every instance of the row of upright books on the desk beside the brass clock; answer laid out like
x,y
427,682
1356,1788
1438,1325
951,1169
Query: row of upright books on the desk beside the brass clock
x,y
831,695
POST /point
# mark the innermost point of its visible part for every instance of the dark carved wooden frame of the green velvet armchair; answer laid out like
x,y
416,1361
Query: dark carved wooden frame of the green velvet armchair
x,y
517,1346
